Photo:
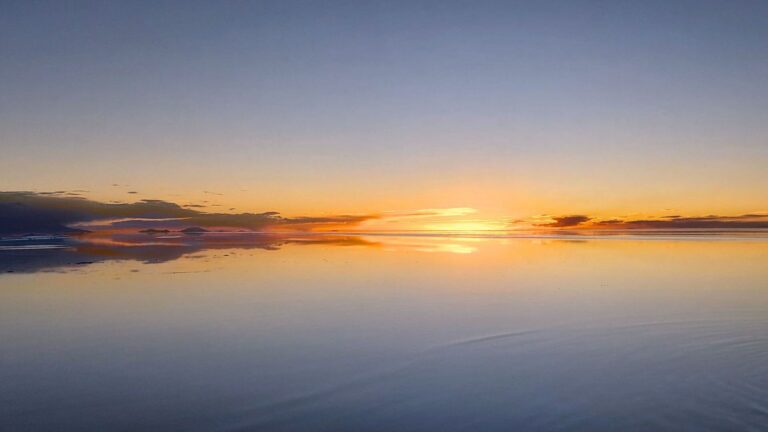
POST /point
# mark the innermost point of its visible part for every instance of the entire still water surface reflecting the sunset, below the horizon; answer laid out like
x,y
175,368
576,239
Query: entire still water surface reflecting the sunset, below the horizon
x,y
386,333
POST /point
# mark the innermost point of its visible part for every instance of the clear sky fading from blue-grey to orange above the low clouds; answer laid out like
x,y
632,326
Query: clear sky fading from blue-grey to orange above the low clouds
x,y
513,110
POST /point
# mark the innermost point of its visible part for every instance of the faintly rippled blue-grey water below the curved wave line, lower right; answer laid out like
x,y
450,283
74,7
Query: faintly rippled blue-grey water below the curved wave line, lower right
x,y
675,375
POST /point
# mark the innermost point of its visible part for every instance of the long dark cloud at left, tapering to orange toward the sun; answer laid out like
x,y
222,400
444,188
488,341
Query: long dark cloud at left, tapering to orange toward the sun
x,y
22,212
